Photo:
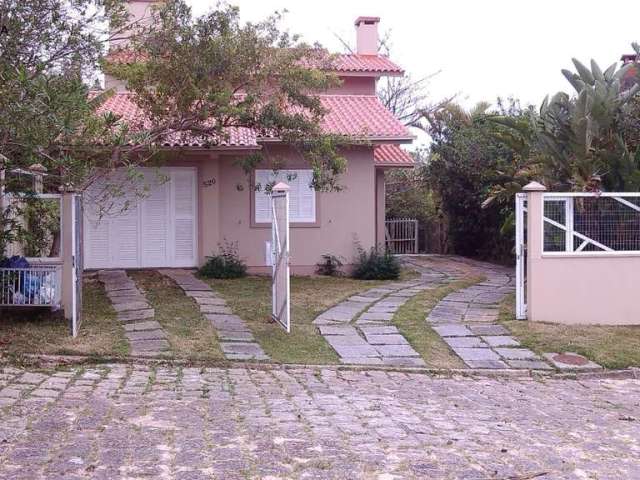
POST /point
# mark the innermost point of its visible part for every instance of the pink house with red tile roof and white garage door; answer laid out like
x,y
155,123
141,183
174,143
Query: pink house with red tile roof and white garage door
x,y
207,201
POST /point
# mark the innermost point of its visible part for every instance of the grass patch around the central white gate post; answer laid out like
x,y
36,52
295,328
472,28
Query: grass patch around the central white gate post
x,y
250,298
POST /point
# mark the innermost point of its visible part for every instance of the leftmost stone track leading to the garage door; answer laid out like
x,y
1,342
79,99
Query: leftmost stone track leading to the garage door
x,y
145,335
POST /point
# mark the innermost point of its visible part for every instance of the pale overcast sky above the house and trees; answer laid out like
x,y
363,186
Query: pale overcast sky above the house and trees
x,y
483,48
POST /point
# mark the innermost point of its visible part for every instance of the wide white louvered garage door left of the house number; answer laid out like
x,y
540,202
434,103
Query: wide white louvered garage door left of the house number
x,y
157,230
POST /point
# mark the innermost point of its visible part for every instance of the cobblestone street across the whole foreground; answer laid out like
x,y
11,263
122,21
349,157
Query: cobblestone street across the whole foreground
x,y
138,422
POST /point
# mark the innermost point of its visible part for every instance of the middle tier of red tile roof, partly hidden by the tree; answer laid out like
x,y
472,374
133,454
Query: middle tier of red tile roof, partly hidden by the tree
x,y
361,116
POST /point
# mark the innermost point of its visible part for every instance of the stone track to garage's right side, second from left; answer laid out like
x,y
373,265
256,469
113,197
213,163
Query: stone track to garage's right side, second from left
x,y
235,337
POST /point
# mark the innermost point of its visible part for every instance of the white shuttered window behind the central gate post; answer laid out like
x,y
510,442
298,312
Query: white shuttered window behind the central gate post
x,y
302,197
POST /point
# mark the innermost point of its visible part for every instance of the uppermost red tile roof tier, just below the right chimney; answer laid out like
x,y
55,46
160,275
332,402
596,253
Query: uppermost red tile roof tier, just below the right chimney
x,y
342,63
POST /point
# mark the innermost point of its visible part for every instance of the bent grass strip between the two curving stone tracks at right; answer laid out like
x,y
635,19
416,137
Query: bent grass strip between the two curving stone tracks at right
x,y
411,321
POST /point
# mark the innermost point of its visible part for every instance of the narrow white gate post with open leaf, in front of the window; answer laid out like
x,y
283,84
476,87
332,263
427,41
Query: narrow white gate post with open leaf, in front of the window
x,y
281,308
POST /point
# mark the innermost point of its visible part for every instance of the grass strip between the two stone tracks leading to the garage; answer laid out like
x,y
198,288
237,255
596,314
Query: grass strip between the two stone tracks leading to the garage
x,y
189,334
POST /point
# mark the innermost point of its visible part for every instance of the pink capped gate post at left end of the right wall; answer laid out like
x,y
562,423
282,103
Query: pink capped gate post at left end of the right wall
x,y
535,211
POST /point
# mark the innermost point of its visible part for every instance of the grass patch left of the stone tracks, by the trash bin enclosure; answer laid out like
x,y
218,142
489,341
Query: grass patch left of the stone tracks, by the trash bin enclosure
x,y
38,331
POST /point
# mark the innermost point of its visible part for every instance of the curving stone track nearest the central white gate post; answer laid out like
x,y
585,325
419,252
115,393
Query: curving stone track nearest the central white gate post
x,y
360,328
